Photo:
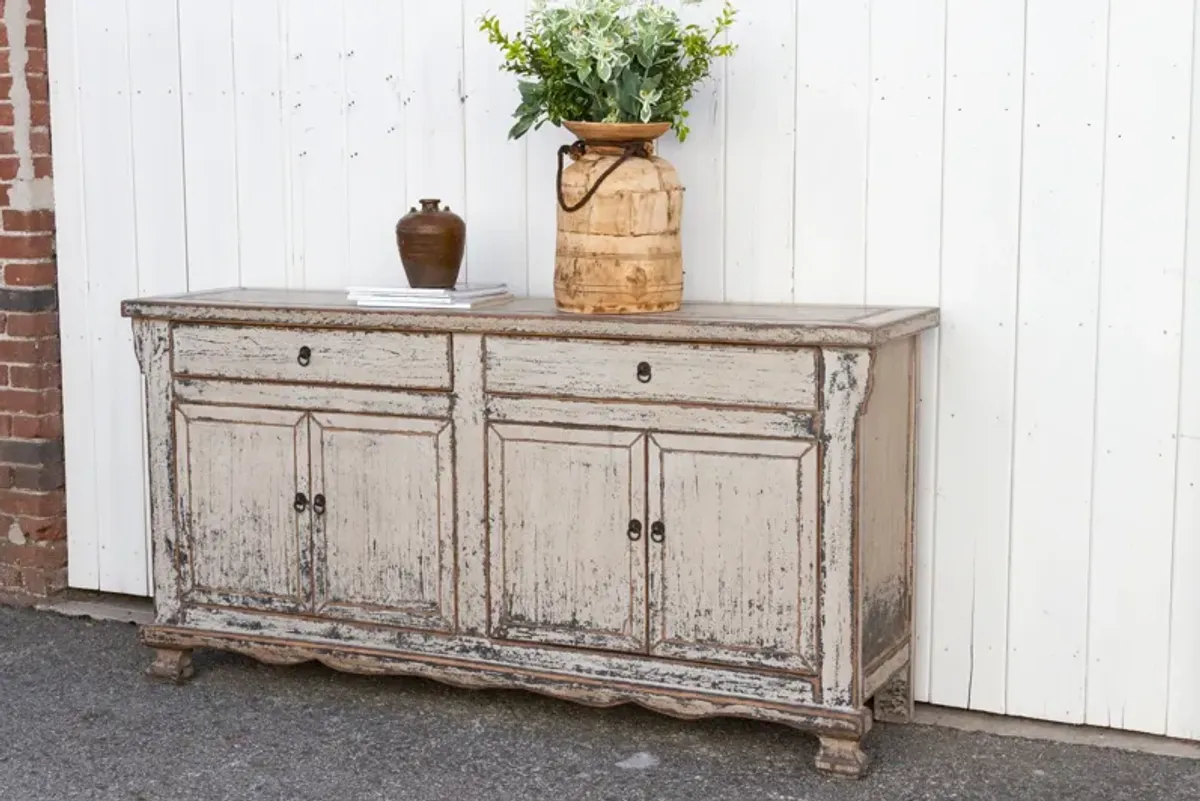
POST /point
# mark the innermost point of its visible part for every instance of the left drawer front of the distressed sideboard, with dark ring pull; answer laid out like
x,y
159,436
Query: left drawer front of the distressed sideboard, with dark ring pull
x,y
315,357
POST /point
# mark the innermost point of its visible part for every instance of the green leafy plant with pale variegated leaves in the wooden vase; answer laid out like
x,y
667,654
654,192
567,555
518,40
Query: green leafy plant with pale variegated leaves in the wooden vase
x,y
608,62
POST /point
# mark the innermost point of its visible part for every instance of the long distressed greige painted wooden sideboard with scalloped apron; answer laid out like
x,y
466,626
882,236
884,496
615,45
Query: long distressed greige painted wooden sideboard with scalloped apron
x,y
706,513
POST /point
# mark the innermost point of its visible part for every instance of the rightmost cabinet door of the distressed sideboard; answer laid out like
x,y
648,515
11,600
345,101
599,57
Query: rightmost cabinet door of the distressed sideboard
x,y
734,551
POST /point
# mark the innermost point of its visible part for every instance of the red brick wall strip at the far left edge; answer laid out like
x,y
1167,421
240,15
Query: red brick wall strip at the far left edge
x,y
33,525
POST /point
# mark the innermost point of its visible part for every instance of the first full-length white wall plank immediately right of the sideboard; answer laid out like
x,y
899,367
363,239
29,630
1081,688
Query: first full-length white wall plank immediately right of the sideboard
x,y
981,231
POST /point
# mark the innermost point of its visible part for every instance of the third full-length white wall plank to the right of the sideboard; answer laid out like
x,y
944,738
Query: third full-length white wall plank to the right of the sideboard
x,y
1143,245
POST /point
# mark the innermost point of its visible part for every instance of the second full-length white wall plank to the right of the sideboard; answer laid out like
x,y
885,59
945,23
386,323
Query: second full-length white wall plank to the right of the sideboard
x,y
1058,302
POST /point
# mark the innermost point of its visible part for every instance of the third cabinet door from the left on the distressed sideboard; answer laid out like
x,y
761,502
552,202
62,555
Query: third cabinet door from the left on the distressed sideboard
x,y
565,567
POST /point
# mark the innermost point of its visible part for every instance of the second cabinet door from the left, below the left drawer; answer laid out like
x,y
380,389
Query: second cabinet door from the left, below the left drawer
x,y
383,510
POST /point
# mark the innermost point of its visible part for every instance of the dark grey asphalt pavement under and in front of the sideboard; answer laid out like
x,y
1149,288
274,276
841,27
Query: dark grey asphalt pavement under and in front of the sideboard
x,y
80,721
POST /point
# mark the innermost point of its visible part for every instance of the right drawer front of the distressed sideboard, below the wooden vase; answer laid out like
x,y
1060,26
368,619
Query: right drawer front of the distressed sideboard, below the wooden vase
x,y
707,375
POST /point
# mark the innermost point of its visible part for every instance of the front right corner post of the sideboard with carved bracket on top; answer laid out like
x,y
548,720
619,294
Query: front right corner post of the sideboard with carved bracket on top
x,y
847,387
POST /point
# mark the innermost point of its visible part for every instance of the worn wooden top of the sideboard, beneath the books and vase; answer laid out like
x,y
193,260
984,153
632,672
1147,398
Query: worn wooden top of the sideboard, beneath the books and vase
x,y
747,323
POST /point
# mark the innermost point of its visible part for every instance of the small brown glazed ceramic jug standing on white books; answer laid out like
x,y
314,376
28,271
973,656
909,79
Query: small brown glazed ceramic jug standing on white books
x,y
431,243
